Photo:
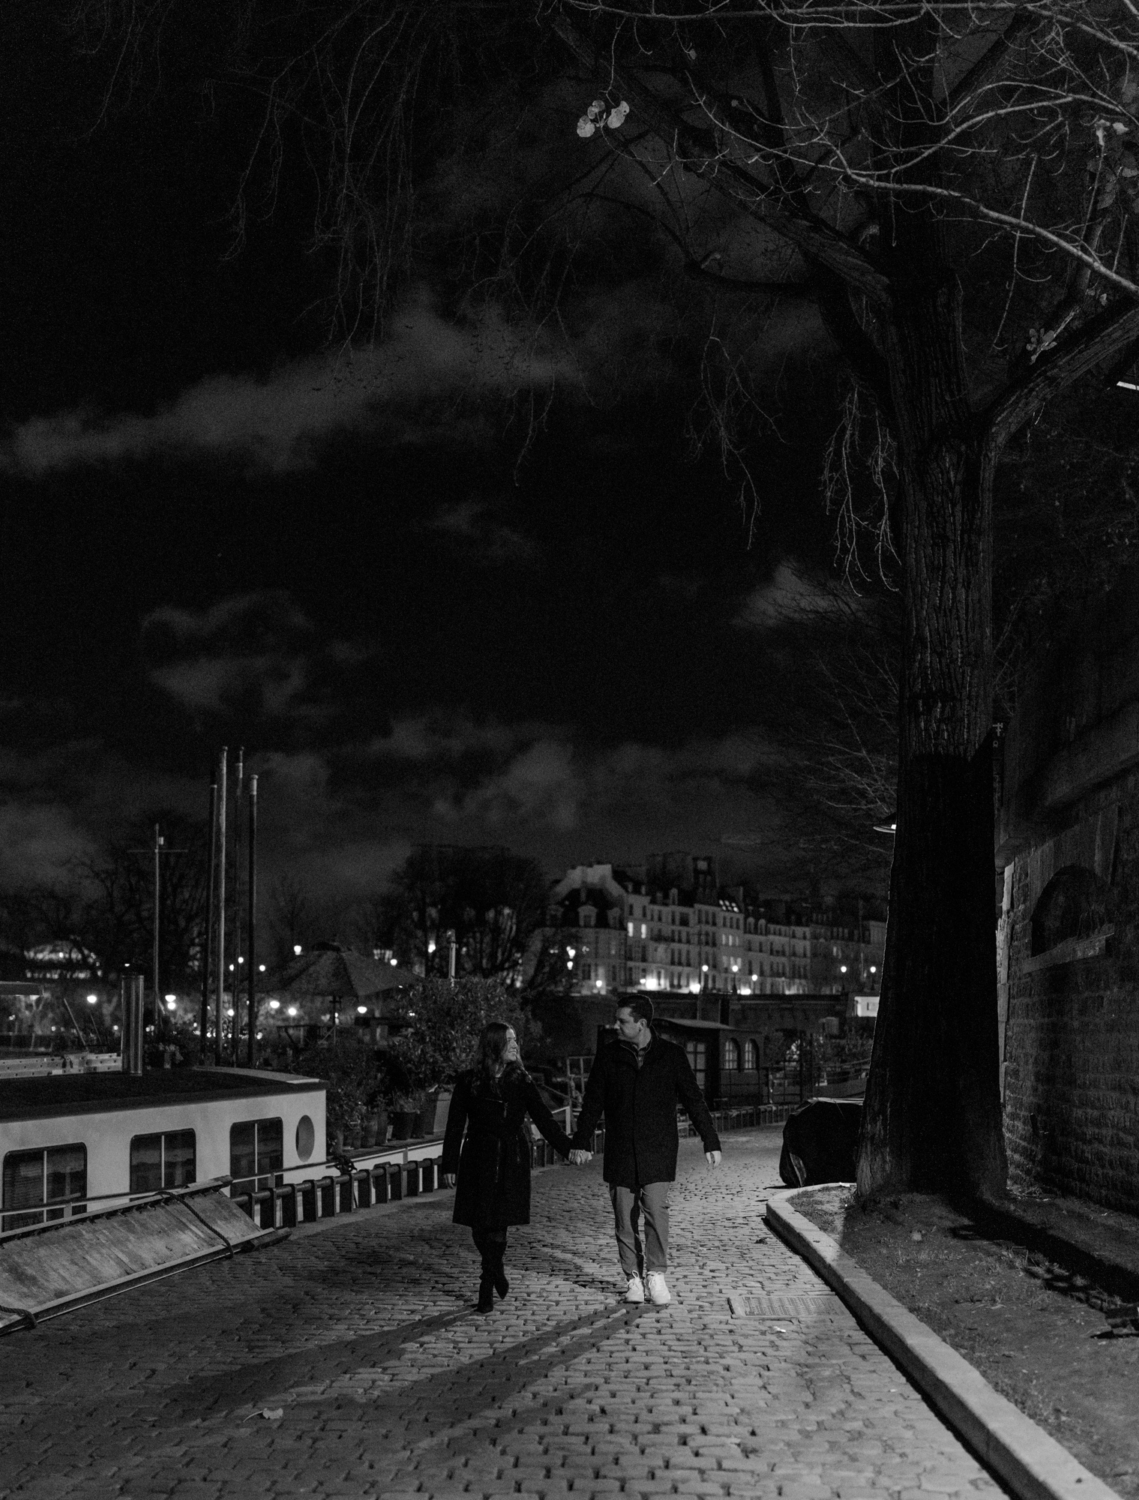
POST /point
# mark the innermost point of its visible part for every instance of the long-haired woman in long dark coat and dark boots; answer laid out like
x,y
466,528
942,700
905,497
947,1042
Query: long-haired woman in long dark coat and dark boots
x,y
491,1102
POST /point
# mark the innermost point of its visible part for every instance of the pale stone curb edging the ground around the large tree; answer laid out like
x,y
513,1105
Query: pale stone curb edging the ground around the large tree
x,y
1033,1465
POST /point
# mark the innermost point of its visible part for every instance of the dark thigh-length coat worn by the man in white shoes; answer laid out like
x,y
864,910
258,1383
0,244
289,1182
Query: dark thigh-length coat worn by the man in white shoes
x,y
640,1108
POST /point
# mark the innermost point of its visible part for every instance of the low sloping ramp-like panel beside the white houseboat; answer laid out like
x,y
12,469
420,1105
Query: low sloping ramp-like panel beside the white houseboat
x,y
47,1270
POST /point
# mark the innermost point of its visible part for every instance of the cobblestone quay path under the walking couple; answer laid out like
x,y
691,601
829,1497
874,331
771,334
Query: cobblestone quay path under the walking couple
x,y
361,1334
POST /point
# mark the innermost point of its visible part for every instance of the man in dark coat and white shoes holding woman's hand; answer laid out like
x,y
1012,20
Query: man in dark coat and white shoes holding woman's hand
x,y
637,1084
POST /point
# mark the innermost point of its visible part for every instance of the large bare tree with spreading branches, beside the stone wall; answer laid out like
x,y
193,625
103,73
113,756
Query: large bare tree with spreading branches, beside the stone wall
x,y
955,188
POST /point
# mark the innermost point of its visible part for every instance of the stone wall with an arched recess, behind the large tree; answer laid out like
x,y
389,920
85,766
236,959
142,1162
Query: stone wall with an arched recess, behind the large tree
x,y
1069,938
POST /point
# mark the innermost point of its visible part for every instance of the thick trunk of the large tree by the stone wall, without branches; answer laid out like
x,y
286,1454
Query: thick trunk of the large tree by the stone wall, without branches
x,y
933,1117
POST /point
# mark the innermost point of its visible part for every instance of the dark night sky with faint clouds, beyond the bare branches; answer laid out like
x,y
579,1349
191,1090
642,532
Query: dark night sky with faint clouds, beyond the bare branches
x,y
422,619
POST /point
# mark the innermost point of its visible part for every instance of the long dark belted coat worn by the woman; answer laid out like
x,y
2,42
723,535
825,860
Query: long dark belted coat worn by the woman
x,y
493,1162
